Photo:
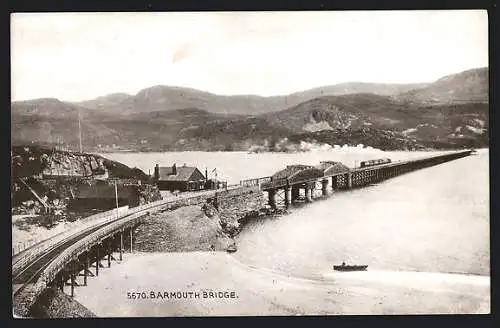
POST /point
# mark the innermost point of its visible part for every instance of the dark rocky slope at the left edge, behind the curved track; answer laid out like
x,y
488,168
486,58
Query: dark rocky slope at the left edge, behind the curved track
x,y
46,178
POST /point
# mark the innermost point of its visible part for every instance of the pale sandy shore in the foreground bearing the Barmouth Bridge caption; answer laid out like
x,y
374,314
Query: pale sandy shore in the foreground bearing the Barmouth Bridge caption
x,y
248,291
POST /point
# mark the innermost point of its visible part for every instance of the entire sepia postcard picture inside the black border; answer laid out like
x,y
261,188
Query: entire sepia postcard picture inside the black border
x,y
249,163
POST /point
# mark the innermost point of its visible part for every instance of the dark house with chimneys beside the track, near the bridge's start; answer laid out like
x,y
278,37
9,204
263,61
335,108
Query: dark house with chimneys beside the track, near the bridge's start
x,y
181,178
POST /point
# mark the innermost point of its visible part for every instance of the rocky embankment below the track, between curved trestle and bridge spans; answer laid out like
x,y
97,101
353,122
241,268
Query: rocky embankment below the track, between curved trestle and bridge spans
x,y
202,227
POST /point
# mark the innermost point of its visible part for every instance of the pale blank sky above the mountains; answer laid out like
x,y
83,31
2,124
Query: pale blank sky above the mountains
x,y
81,56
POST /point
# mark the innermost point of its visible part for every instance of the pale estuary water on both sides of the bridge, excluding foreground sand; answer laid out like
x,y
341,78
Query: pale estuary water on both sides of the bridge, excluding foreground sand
x,y
434,220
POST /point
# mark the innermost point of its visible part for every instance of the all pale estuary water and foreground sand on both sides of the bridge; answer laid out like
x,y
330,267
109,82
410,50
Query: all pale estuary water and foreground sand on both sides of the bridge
x,y
424,235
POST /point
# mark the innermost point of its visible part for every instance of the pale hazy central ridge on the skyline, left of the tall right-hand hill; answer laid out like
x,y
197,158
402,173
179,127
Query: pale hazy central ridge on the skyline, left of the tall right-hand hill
x,y
161,98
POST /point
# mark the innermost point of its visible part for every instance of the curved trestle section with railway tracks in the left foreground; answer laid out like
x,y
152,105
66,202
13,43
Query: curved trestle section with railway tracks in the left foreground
x,y
71,257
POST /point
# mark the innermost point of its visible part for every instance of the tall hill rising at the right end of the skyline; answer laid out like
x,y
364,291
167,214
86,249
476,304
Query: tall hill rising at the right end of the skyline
x,y
471,86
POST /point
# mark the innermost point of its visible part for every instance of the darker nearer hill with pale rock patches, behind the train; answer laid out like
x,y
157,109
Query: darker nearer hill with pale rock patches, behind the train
x,y
441,124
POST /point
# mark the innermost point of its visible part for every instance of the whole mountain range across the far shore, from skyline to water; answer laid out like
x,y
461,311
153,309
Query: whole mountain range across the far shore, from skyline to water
x,y
451,112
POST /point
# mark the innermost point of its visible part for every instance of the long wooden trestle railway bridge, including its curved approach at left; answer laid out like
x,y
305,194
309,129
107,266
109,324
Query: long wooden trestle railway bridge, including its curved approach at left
x,y
60,260
